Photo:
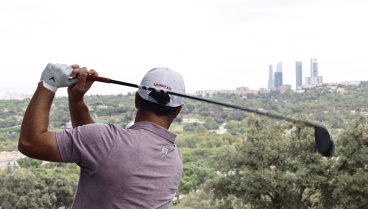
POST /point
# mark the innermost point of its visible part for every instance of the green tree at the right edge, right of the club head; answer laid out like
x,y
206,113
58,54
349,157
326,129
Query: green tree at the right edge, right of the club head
x,y
350,185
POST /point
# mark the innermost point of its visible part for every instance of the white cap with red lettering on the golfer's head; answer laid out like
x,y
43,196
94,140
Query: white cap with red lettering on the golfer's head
x,y
163,79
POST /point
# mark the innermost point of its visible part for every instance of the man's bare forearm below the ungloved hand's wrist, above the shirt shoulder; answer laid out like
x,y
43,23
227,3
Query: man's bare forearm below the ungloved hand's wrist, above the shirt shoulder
x,y
79,113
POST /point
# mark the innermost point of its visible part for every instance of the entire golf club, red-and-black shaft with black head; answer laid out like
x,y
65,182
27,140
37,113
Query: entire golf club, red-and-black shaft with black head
x,y
324,139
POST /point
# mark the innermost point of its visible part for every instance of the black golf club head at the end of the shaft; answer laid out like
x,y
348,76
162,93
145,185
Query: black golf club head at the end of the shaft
x,y
324,141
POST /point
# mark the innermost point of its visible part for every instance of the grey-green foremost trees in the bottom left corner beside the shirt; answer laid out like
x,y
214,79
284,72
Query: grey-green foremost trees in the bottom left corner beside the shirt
x,y
35,191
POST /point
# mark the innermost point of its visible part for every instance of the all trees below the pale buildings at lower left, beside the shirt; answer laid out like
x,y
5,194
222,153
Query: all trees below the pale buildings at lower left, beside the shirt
x,y
31,187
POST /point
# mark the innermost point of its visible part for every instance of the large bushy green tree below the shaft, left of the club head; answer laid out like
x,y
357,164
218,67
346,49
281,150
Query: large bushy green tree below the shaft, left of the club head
x,y
299,175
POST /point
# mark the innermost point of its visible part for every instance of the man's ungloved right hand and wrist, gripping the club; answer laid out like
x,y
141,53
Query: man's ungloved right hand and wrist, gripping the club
x,y
76,92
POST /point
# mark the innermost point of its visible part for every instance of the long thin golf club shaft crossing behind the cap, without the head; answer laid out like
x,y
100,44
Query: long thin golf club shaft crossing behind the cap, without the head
x,y
107,80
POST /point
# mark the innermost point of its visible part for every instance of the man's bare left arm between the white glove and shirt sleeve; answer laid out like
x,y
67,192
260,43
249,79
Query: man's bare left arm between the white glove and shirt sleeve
x,y
35,140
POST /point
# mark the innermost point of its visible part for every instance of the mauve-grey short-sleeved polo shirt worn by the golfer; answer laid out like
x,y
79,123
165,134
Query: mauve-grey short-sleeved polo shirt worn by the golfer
x,y
135,168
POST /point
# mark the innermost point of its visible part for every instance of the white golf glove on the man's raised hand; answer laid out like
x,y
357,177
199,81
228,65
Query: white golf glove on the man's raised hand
x,y
55,76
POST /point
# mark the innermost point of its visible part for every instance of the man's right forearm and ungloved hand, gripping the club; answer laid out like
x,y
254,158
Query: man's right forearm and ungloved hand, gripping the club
x,y
79,112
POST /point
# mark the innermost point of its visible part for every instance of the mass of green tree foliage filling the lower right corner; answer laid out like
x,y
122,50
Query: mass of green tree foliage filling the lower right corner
x,y
275,169
